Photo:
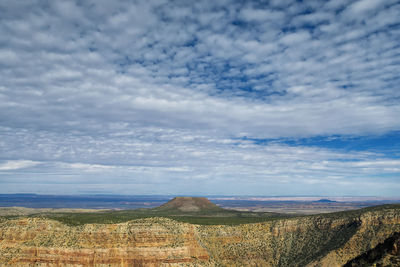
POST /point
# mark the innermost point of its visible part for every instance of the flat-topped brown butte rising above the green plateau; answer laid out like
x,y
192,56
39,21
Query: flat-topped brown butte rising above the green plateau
x,y
189,204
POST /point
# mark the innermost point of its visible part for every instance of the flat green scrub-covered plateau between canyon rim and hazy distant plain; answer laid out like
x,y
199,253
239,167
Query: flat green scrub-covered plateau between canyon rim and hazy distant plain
x,y
203,217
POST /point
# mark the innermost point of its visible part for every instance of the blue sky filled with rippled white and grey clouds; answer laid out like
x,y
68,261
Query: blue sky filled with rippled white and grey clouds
x,y
266,98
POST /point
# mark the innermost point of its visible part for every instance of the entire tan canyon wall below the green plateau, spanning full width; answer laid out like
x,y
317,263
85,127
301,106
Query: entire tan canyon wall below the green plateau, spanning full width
x,y
324,240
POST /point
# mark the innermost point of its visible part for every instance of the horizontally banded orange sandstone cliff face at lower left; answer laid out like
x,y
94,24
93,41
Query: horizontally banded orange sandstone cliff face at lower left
x,y
148,242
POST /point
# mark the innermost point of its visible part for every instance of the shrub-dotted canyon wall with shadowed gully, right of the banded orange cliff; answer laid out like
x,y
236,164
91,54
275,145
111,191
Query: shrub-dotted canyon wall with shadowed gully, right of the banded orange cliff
x,y
308,241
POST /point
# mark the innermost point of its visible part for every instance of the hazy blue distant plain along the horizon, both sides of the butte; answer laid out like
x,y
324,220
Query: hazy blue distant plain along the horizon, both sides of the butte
x,y
288,205
